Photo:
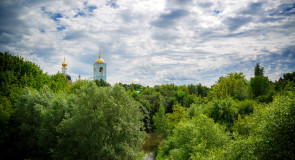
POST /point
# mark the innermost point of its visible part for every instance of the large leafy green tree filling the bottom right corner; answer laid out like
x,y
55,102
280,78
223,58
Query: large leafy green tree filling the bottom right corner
x,y
277,133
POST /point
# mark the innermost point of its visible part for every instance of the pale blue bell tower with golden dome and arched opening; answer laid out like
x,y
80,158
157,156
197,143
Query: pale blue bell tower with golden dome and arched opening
x,y
100,69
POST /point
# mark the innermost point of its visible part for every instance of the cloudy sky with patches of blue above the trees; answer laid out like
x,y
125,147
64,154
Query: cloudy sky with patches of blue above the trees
x,y
152,42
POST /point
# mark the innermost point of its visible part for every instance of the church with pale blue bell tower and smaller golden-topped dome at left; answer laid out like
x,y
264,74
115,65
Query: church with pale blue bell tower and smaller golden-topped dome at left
x,y
99,69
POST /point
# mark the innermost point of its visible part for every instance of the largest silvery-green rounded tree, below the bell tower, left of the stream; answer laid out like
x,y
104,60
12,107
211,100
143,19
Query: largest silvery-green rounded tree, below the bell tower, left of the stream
x,y
105,124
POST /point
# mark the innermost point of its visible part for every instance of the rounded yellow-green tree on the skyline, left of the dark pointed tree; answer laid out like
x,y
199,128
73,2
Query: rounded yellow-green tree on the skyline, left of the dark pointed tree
x,y
234,85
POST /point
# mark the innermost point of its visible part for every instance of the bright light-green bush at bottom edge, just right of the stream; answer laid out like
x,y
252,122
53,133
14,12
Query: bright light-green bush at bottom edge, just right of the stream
x,y
193,139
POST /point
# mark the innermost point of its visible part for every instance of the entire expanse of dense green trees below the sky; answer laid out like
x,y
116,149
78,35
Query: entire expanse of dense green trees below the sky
x,y
43,117
